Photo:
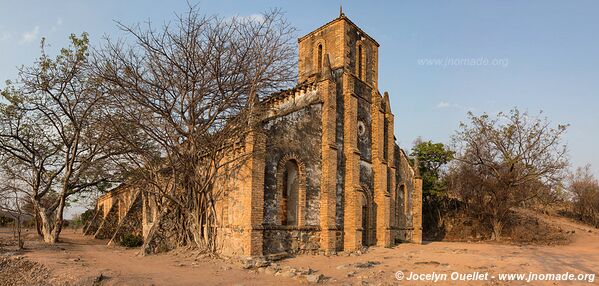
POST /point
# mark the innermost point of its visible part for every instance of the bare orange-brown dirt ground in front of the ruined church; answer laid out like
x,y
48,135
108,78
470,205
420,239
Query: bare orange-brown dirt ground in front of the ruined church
x,y
80,260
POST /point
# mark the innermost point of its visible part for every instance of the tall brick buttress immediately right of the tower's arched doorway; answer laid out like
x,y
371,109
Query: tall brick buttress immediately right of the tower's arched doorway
x,y
379,165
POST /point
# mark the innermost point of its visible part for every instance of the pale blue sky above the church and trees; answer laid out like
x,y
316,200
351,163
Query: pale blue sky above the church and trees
x,y
437,59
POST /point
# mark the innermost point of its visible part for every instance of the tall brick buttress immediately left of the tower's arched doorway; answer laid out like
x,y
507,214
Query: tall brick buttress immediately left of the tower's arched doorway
x,y
352,215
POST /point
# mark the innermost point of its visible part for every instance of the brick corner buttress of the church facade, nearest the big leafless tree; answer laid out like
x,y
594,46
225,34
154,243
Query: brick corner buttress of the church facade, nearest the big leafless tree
x,y
253,192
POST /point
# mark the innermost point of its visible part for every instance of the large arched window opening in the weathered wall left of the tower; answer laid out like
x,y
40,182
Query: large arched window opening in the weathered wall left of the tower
x,y
290,196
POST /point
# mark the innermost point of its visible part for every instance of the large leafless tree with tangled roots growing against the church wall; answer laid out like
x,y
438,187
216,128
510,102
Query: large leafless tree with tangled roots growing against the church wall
x,y
190,90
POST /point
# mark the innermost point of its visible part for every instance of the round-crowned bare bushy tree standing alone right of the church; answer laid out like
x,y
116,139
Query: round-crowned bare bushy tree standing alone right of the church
x,y
505,161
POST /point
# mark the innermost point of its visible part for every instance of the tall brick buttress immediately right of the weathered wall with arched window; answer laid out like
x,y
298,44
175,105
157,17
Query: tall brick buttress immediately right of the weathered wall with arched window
x,y
328,187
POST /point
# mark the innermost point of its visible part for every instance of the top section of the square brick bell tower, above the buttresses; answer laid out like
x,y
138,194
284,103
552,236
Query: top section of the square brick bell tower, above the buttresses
x,y
345,46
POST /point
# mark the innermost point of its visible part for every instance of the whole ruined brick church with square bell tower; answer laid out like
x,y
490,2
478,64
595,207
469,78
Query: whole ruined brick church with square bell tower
x,y
329,176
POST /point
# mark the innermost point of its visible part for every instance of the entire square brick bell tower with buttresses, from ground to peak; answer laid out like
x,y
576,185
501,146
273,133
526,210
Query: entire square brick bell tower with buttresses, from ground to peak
x,y
342,60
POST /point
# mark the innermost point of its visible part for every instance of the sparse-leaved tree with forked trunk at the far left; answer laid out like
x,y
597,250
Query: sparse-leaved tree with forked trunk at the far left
x,y
52,133
